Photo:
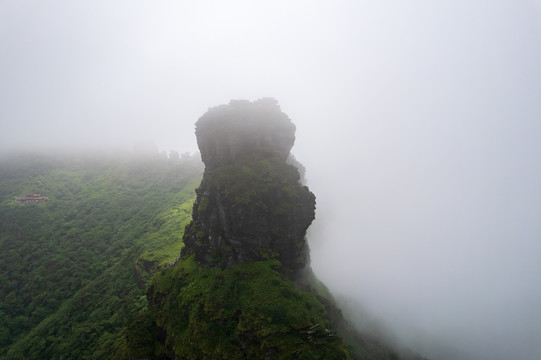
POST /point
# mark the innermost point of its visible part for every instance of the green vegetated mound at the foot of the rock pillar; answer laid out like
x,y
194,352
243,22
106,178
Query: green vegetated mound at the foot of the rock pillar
x,y
249,311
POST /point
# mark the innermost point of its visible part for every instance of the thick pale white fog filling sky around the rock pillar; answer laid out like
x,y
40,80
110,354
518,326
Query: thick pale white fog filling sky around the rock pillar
x,y
419,123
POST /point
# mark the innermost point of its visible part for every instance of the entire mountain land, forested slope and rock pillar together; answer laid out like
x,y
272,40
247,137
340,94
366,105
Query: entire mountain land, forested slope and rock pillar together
x,y
149,257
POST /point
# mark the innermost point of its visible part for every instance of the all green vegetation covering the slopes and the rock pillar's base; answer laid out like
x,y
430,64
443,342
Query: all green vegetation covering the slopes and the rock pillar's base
x,y
74,269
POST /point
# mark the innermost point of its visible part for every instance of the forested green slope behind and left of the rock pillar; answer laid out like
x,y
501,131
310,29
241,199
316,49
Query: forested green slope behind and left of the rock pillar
x,y
73,269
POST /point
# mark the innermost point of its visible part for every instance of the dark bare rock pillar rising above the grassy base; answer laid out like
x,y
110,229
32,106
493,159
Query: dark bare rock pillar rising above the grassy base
x,y
250,205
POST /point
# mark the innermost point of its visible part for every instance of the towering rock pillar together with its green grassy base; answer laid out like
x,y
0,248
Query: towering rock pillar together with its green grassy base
x,y
243,287
